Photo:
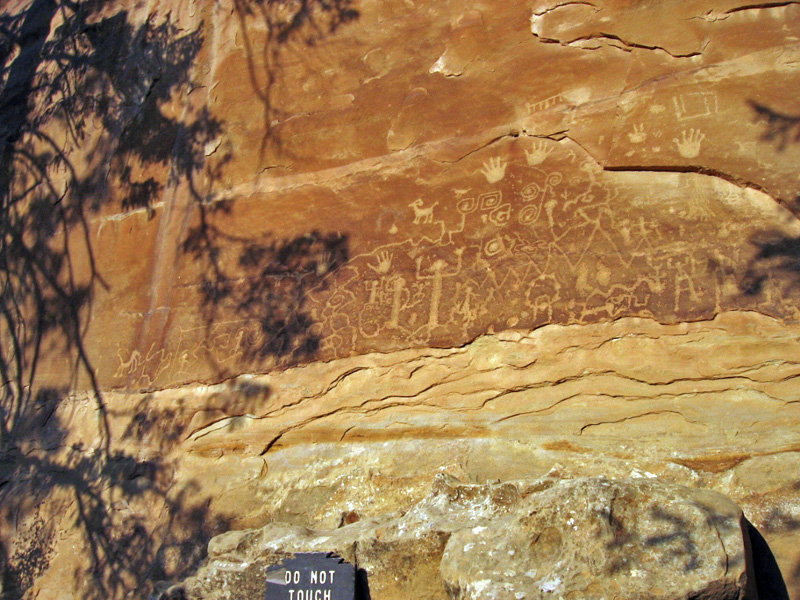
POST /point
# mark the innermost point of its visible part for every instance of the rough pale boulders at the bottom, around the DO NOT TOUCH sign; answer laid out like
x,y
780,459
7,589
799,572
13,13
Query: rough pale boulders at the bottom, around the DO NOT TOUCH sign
x,y
587,538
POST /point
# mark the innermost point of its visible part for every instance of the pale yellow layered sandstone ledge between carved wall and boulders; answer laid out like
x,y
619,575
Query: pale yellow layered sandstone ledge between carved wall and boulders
x,y
328,444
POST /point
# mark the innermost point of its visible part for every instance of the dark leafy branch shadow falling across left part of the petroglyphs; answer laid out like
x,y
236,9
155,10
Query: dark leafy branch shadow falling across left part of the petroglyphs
x,y
267,288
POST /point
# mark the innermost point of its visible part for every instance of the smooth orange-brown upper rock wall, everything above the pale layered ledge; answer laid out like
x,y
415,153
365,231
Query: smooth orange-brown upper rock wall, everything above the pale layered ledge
x,y
524,164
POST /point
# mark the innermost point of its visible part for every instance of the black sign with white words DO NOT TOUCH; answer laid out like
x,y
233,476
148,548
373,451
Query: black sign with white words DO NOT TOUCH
x,y
311,576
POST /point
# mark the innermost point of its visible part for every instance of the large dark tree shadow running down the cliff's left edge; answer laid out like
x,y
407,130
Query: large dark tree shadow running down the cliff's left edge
x,y
83,120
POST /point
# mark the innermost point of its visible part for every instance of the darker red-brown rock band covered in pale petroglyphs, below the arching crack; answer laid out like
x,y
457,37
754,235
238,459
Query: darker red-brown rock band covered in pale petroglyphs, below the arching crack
x,y
556,239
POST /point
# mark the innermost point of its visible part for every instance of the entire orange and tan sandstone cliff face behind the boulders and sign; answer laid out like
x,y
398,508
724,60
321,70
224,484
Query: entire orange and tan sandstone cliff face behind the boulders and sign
x,y
284,261
